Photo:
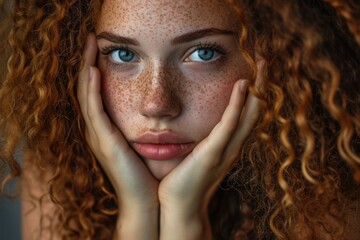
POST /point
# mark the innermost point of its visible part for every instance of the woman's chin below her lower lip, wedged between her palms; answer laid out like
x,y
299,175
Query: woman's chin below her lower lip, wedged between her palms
x,y
160,169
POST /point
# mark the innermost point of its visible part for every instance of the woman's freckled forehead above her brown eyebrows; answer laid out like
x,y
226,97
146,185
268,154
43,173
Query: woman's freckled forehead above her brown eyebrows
x,y
165,15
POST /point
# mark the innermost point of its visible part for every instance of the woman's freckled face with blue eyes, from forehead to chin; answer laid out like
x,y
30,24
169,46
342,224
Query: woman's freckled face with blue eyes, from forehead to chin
x,y
167,68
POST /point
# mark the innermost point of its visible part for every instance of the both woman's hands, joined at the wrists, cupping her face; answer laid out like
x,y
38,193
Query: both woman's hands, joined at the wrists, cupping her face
x,y
182,197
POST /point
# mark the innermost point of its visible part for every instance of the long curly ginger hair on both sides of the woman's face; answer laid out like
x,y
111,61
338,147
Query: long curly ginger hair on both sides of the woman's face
x,y
295,166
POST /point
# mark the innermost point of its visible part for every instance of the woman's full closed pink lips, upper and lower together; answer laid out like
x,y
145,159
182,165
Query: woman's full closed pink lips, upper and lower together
x,y
162,145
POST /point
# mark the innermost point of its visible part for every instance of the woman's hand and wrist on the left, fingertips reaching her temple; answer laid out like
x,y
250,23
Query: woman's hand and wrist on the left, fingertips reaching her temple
x,y
136,188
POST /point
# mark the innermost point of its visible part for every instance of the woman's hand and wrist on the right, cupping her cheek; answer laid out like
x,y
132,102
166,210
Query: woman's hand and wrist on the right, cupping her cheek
x,y
185,193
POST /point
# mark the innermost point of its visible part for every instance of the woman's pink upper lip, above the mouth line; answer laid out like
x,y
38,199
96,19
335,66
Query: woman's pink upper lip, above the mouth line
x,y
162,137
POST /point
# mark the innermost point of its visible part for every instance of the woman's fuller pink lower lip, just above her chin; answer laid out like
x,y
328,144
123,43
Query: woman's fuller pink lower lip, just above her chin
x,y
162,151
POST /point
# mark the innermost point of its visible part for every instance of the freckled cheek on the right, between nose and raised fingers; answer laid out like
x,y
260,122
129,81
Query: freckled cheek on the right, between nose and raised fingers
x,y
210,93
